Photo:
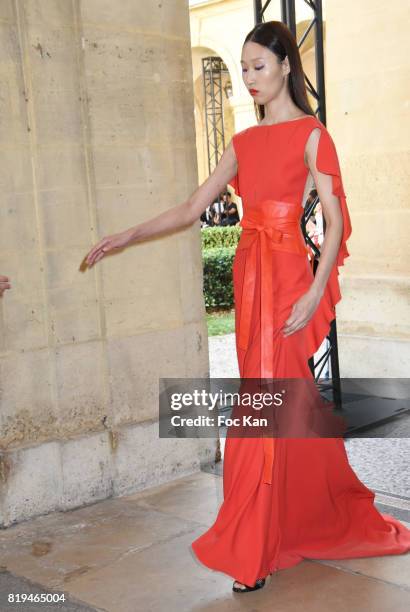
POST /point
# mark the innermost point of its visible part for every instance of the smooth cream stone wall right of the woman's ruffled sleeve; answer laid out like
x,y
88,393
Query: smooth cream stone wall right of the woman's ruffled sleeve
x,y
366,102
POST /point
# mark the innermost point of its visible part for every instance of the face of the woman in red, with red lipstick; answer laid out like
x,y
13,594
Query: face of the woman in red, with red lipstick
x,y
262,71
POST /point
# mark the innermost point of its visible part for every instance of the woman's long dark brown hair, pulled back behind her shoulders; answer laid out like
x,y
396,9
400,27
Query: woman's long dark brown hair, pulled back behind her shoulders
x,y
277,37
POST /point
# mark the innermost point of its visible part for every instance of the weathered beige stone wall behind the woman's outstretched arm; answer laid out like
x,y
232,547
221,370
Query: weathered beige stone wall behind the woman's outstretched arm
x,y
96,135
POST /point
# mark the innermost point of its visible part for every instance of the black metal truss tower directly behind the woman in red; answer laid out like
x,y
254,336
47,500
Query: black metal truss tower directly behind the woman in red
x,y
288,16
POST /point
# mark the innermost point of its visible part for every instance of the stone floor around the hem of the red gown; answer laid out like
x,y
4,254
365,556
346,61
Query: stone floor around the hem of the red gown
x,y
132,554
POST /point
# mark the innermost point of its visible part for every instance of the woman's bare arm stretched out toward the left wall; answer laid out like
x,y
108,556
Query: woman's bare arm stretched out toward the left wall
x,y
177,217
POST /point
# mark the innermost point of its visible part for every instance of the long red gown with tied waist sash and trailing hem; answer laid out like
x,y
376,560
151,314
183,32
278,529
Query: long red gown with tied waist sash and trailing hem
x,y
286,499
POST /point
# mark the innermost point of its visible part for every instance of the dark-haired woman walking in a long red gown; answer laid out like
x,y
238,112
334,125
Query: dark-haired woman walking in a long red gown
x,y
284,499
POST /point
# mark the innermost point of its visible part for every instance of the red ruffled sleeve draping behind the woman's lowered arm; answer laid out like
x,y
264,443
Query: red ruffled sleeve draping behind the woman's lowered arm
x,y
319,325
